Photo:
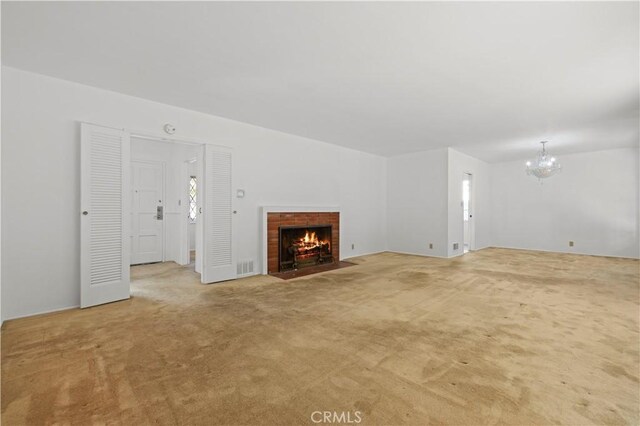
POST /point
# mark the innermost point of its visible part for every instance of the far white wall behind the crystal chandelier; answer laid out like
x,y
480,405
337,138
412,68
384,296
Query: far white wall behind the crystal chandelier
x,y
593,202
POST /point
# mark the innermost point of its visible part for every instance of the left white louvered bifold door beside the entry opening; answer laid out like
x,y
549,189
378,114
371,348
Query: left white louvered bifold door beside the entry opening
x,y
104,258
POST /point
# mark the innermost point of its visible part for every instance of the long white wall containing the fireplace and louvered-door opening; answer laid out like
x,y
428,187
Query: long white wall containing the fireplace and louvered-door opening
x,y
41,181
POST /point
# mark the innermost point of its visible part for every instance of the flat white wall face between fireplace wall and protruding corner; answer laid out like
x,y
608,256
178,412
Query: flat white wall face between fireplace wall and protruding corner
x,y
417,203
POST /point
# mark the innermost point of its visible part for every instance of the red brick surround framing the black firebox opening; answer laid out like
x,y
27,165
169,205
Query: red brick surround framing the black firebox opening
x,y
275,220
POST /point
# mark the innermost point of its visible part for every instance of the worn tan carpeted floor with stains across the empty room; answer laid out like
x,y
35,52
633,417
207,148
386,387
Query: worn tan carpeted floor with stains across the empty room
x,y
494,337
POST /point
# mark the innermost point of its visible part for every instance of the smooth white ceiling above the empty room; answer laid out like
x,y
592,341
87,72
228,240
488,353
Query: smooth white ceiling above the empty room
x,y
490,79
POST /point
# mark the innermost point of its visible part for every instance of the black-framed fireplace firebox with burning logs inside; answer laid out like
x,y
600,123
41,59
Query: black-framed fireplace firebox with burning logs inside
x,y
303,246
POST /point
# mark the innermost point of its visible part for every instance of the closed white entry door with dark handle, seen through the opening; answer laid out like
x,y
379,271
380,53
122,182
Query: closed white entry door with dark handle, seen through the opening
x,y
147,212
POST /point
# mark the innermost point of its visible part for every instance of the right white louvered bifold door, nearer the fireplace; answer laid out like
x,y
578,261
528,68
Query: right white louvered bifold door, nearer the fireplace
x,y
217,213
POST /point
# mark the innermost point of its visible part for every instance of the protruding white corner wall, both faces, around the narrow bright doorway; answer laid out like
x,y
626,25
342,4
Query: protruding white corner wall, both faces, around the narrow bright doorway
x,y
425,202
